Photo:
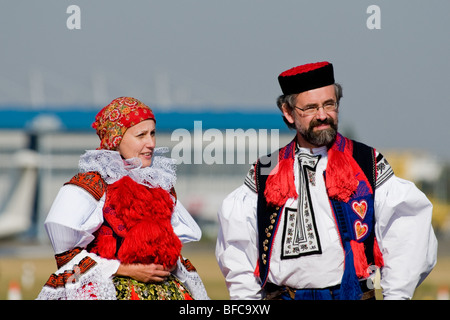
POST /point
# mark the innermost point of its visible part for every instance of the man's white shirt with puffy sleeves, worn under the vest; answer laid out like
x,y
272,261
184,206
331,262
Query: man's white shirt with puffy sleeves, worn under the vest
x,y
403,230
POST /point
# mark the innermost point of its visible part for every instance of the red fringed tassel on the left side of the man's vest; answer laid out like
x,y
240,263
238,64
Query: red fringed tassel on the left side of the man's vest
x,y
280,185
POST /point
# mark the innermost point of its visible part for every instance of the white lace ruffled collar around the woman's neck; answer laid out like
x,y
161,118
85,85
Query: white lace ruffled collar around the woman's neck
x,y
112,167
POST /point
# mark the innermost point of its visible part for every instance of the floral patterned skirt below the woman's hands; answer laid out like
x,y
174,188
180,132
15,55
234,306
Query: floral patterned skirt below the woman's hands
x,y
169,289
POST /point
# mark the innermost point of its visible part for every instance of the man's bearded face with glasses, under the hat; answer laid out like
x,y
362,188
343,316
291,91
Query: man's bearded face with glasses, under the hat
x,y
319,129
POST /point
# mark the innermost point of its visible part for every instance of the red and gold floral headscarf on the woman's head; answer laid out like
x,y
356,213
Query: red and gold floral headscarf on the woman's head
x,y
114,119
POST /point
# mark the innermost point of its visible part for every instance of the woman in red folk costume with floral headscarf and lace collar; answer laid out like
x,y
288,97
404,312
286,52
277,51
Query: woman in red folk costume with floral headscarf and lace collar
x,y
116,227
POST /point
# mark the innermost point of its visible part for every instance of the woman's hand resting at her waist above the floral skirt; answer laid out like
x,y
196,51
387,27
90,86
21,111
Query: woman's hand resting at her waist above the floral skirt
x,y
144,272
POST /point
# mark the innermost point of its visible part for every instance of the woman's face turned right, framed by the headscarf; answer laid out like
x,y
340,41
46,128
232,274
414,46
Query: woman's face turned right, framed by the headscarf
x,y
139,141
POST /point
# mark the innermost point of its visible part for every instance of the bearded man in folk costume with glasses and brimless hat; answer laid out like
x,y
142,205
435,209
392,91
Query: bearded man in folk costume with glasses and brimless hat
x,y
315,219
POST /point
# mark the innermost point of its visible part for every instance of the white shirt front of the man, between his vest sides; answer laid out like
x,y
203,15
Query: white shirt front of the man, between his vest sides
x,y
328,264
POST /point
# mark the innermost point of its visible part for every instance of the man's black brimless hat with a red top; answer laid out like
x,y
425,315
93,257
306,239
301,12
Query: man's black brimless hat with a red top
x,y
306,77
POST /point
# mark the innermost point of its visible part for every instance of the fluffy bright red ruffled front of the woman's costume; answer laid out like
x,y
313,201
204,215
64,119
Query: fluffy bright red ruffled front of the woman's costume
x,y
142,217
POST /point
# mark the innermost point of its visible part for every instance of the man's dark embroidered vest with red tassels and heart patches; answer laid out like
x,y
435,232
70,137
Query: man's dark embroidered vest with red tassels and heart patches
x,y
352,205
